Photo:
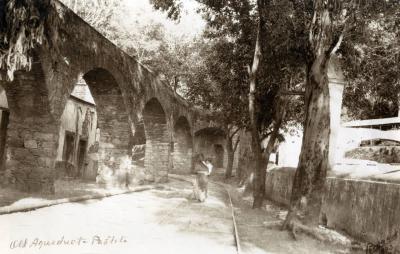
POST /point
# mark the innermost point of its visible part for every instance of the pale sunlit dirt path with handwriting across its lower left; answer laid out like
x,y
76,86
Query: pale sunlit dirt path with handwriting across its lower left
x,y
157,221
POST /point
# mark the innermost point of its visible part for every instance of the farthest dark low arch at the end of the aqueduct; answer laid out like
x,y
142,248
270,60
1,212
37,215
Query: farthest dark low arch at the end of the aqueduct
x,y
211,143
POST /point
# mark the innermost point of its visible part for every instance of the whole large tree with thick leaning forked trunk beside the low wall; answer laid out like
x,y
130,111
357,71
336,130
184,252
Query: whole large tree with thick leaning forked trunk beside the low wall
x,y
327,25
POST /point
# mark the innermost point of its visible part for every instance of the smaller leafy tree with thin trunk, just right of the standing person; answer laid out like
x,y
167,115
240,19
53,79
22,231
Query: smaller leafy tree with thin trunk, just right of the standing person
x,y
217,88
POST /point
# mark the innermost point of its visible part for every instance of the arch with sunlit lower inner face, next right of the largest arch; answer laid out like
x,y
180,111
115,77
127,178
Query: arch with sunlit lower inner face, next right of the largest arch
x,y
157,141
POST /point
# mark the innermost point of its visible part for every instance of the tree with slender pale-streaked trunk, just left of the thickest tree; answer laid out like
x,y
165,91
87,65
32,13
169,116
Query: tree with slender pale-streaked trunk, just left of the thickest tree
x,y
266,75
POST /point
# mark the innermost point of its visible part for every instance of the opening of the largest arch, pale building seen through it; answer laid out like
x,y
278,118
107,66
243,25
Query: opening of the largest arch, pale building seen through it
x,y
77,139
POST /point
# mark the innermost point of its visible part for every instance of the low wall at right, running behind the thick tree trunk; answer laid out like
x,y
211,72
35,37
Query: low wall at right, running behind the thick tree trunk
x,y
367,210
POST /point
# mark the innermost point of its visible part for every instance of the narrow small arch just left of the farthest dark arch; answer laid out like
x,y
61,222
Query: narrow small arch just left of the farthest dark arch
x,y
183,147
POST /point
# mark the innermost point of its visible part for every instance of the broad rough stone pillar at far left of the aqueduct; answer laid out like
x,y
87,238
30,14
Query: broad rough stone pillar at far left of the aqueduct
x,y
31,153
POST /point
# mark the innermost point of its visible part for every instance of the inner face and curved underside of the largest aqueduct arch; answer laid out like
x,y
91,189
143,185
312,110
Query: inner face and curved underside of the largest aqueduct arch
x,y
116,137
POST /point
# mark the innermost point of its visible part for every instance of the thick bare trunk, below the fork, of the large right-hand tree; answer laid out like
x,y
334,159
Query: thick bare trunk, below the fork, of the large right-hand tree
x,y
309,181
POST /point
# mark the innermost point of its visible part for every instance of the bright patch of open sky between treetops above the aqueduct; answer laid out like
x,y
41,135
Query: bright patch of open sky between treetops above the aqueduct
x,y
190,24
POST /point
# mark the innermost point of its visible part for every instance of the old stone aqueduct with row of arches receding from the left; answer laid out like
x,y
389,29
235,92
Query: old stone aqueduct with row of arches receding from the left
x,y
129,99
